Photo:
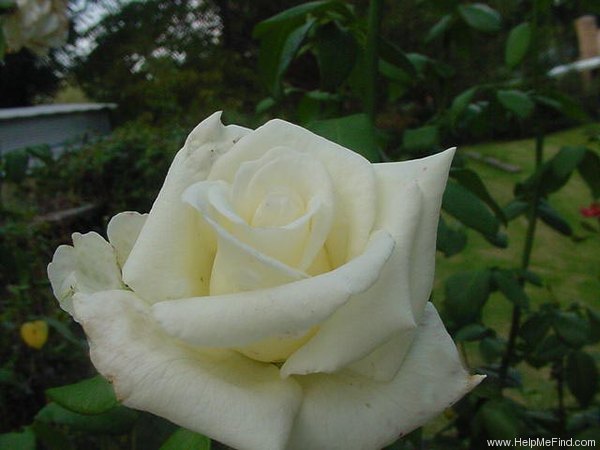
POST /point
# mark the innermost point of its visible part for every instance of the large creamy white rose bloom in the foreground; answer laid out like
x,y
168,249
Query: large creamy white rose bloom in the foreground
x,y
276,295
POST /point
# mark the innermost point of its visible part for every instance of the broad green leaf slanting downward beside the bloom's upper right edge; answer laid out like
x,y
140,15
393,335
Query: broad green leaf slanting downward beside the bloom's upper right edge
x,y
466,207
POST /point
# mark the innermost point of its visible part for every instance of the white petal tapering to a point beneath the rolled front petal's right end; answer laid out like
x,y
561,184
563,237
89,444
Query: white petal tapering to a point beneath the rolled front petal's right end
x,y
369,320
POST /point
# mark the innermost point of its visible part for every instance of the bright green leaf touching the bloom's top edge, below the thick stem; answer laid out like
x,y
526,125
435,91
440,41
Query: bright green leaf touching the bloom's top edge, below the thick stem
x,y
354,132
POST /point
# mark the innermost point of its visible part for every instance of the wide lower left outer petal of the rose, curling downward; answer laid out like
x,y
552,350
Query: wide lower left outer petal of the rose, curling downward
x,y
231,398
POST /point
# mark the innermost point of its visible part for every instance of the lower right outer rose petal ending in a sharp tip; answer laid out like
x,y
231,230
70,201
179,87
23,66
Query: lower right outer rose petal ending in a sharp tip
x,y
349,412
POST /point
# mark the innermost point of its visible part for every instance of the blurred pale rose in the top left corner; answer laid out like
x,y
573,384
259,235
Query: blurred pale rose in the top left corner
x,y
37,24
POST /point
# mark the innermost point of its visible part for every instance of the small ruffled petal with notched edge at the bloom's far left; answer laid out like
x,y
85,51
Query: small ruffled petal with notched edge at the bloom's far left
x,y
90,265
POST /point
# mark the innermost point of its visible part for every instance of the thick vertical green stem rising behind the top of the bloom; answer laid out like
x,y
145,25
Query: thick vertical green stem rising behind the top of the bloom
x,y
372,58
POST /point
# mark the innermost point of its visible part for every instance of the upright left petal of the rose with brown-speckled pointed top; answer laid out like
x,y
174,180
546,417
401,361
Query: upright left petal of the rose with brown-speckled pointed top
x,y
172,257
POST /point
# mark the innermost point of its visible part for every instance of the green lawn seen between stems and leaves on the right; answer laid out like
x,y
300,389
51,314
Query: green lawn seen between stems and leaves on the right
x,y
570,269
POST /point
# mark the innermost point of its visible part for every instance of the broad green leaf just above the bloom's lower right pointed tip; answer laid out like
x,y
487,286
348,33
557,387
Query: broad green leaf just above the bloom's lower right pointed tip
x,y
466,293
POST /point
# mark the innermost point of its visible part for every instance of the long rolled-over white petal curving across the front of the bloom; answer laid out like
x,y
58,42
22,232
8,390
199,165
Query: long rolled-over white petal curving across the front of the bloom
x,y
240,319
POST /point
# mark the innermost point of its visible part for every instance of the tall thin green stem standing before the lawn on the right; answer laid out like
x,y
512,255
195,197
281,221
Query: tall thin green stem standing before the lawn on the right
x,y
515,324
